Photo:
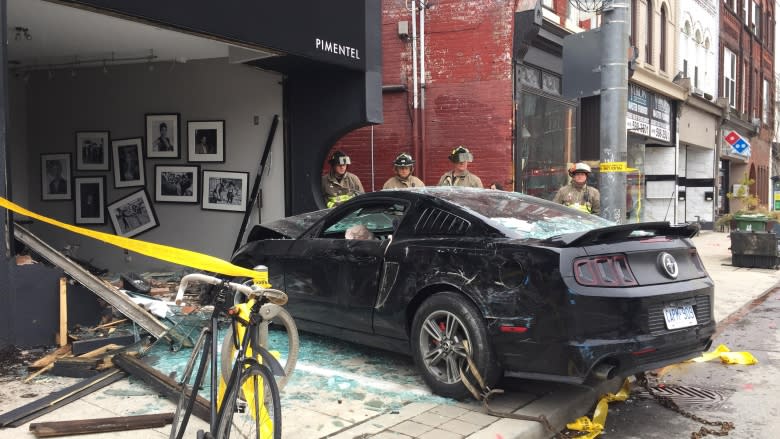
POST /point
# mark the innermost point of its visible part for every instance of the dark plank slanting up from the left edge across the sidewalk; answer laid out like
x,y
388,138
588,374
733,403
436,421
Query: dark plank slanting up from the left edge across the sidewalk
x,y
34,409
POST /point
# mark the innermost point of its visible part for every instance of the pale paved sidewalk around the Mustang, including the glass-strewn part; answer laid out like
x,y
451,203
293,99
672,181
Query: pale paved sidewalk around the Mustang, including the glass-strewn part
x,y
342,390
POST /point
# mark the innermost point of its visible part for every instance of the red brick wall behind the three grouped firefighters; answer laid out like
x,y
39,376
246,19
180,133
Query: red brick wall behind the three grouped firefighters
x,y
468,95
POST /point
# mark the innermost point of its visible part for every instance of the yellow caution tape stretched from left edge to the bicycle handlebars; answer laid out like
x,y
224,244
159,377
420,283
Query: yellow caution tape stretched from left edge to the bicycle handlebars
x,y
175,255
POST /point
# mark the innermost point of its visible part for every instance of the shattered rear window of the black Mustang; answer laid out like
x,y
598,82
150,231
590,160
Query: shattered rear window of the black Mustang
x,y
523,216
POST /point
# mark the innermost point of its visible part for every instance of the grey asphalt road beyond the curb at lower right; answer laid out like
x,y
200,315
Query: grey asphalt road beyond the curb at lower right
x,y
744,395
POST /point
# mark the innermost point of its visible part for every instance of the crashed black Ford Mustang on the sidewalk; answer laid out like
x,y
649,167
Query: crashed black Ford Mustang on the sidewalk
x,y
528,287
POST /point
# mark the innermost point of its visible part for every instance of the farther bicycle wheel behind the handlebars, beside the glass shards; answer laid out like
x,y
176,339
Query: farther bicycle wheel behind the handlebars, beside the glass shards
x,y
280,336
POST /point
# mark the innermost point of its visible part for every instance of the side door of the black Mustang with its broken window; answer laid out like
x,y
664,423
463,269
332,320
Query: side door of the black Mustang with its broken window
x,y
336,279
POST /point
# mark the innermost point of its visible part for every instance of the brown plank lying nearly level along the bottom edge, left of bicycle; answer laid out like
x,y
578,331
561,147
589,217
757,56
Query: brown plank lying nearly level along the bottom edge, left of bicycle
x,y
102,425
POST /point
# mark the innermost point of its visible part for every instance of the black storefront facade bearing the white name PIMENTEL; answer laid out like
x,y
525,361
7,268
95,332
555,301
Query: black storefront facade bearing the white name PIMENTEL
x,y
329,56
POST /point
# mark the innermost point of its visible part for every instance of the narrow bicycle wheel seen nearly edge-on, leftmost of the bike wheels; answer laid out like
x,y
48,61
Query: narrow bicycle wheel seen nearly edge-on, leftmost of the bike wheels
x,y
187,394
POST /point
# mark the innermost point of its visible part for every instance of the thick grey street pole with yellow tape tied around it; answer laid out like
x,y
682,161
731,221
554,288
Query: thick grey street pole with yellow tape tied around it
x,y
614,100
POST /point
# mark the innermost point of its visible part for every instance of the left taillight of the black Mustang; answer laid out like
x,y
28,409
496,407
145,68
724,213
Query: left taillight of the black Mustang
x,y
604,271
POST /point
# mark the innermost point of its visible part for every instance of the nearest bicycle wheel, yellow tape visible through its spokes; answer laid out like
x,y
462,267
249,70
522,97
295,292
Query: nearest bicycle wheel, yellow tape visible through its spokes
x,y
241,416
